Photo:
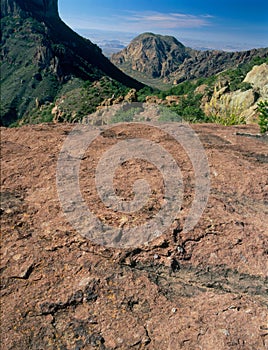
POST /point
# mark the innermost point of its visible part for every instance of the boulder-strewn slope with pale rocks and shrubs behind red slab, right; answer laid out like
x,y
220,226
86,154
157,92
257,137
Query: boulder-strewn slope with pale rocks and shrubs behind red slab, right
x,y
229,98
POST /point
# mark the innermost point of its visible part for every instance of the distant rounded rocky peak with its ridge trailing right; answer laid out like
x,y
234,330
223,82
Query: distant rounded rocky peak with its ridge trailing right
x,y
157,56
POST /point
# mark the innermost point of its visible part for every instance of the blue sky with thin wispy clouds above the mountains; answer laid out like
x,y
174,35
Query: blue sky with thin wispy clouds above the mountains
x,y
226,24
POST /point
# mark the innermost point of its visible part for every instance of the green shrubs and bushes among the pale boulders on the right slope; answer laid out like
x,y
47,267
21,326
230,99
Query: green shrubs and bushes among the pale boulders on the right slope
x,y
190,101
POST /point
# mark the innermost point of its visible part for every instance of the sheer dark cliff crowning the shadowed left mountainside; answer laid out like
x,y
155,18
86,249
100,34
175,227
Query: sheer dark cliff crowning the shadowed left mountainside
x,y
40,9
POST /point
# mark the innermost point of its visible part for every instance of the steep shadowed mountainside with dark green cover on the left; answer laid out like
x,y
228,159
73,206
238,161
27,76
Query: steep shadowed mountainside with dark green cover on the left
x,y
42,56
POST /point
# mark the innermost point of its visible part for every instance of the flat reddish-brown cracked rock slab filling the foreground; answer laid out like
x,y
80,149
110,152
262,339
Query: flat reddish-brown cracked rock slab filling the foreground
x,y
205,289
